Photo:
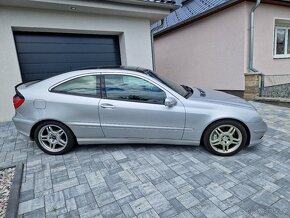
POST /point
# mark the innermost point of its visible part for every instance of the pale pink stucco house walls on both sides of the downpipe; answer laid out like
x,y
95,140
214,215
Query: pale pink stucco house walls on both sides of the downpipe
x,y
214,52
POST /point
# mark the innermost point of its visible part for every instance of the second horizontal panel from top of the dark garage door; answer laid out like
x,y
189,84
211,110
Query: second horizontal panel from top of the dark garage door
x,y
66,48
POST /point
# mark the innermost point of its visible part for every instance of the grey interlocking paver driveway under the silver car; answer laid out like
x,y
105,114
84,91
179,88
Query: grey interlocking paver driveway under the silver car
x,y
156,180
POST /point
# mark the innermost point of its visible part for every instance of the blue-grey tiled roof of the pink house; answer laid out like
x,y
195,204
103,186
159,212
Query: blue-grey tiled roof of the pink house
x,y
188,9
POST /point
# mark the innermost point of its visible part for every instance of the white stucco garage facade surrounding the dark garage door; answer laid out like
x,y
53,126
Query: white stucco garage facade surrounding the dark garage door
x,y
133,31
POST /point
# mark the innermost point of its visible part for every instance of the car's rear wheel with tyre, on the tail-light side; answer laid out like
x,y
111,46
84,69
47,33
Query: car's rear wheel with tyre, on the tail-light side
x,y
54,138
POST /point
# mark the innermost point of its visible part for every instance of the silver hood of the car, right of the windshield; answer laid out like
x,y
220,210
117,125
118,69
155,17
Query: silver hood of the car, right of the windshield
x,y
218,97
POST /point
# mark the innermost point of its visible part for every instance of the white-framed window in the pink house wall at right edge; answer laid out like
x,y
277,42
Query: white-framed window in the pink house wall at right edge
x,y
282,42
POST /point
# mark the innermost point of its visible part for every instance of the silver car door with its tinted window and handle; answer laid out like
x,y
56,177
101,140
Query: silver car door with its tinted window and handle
x,y
133,107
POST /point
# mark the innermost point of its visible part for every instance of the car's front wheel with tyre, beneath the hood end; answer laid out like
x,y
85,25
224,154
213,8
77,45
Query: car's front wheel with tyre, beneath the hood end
x,y
225,137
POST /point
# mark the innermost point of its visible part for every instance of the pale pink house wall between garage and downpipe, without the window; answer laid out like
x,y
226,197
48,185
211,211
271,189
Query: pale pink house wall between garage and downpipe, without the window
x,y
208,53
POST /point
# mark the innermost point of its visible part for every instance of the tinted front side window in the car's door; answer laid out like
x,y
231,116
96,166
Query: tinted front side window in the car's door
x,y
130,88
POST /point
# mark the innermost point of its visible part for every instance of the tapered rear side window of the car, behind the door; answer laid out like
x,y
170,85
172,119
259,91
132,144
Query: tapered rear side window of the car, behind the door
x,y
83,86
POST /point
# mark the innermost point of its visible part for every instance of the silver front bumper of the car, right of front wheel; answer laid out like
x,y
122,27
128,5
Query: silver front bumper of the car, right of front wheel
x,y
257,131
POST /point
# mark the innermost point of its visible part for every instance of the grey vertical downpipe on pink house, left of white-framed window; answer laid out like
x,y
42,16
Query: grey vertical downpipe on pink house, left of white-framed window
x,y
251,52
